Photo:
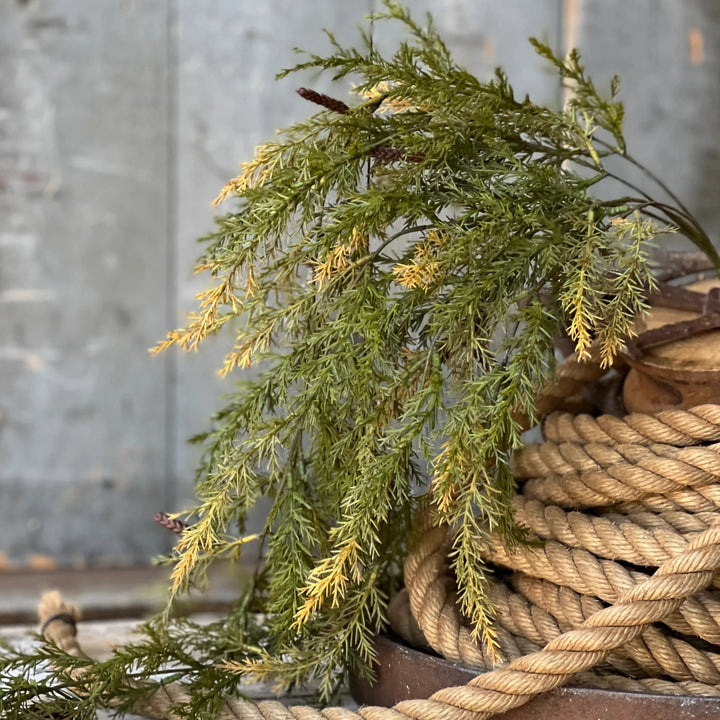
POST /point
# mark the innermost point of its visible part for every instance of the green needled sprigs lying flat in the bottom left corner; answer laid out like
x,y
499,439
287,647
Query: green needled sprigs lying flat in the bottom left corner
x,y
42,682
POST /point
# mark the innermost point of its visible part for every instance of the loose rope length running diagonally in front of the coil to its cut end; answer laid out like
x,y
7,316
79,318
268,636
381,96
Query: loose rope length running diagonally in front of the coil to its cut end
x,y
497,691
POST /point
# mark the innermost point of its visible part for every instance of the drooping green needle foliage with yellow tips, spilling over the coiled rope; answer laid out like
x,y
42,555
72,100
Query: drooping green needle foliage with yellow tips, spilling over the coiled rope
x,y
394,272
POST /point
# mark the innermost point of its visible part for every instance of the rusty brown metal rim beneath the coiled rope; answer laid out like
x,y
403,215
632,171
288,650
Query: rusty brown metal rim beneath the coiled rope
x,y
403,674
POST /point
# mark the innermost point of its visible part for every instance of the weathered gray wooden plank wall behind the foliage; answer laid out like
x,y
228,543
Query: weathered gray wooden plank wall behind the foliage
x,y
120,120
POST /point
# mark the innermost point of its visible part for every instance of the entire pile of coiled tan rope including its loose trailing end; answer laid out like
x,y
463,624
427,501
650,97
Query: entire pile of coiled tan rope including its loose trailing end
x,y
621,596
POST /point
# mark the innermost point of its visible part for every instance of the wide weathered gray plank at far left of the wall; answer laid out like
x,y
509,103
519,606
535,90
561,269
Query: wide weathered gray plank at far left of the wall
x,y
83,206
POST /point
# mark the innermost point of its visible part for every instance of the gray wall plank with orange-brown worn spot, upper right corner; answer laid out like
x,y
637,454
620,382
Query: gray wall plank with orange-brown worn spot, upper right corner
x,y
668,56
